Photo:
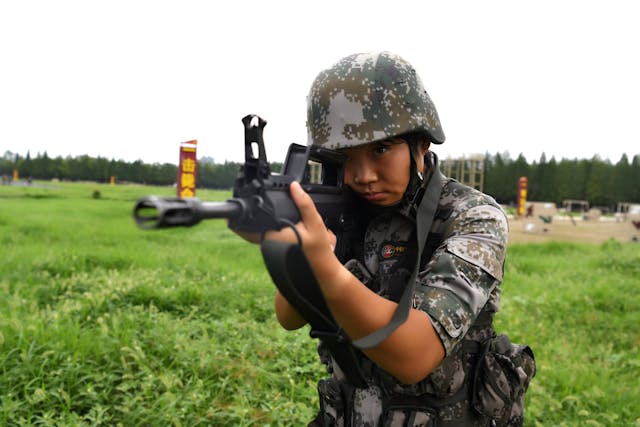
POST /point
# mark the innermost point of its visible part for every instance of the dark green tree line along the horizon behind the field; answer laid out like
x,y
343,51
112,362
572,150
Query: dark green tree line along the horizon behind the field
x,y
600,182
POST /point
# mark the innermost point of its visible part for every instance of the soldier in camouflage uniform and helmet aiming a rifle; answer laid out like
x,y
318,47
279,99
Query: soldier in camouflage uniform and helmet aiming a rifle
x,y
374,109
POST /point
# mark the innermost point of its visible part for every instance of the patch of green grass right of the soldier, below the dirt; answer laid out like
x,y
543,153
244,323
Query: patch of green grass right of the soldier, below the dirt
x,y
579,308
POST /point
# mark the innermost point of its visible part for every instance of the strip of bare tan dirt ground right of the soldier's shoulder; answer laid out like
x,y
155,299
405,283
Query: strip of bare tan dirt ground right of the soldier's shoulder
x,y
562,229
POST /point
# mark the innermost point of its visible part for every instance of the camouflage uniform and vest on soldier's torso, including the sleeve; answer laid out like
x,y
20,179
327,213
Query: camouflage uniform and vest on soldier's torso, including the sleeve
x,y
458,288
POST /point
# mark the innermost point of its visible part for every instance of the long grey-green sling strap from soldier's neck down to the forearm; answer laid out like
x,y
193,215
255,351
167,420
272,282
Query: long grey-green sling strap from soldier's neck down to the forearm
x,y
424,219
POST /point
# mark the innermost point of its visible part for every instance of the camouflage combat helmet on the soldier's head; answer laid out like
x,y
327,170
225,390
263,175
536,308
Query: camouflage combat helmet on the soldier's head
x,y
368,97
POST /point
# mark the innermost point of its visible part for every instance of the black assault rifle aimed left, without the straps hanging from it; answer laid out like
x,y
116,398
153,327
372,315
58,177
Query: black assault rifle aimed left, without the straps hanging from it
x,y
261,198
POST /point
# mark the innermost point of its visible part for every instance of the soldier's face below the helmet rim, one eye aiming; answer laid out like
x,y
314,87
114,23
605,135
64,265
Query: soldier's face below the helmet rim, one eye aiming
x,y
378,172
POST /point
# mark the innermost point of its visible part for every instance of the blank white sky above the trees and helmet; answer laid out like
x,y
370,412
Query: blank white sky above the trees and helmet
x,y
131,80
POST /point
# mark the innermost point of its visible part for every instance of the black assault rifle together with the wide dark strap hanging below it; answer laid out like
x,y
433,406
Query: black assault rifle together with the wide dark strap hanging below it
x,y
261,202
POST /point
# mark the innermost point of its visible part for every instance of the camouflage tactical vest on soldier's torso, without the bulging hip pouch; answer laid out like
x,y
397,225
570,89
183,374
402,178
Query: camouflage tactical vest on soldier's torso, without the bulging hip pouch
x,y
443,395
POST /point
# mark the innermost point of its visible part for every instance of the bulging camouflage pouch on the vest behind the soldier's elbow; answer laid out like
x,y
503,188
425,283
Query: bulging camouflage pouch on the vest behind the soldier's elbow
x,y
502,376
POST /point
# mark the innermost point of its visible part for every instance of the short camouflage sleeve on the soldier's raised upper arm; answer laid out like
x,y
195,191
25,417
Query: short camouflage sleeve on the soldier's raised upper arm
x,y
464,273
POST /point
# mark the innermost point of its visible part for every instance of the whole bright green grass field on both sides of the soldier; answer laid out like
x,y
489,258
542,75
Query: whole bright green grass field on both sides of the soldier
x,y
105,324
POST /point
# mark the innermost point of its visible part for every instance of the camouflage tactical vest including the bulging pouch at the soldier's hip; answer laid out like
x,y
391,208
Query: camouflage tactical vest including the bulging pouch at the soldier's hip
x,y
462,390
